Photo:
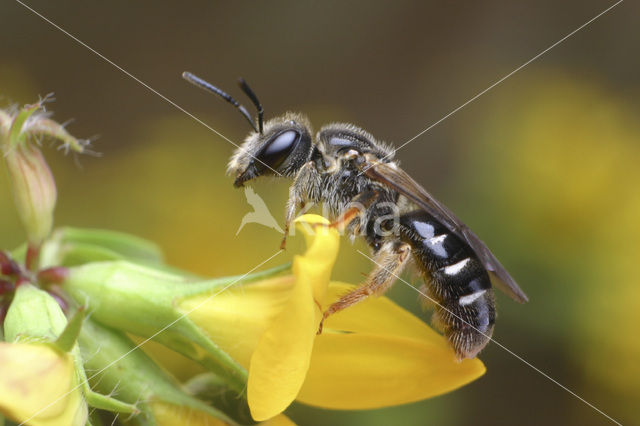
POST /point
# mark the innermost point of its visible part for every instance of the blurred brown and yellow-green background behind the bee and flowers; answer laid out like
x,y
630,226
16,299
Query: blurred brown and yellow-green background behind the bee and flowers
x,y
544,167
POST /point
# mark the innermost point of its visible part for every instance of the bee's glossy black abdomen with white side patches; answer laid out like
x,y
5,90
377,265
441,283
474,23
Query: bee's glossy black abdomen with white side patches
x,y
455,280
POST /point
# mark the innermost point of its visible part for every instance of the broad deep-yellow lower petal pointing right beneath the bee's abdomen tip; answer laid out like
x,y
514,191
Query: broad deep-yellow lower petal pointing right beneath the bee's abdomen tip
x,y
362,371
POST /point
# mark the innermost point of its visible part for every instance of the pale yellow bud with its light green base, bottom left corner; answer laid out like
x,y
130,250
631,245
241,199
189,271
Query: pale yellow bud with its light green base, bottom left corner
x,y
38,380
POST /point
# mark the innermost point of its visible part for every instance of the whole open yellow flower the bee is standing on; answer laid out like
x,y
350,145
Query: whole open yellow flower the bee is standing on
x,y
374,354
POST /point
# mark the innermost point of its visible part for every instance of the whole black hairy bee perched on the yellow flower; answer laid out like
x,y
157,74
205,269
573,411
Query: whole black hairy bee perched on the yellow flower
x,y
356,177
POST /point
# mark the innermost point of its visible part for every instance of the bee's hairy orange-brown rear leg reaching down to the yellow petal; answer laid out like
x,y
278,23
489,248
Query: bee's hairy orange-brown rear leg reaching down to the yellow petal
x,y
390,261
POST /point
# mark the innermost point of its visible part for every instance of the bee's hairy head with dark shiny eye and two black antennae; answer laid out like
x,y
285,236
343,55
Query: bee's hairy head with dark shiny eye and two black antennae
x,y
279,147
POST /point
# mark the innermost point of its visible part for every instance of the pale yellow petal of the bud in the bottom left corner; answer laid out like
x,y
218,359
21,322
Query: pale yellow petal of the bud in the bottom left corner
x,y
37,383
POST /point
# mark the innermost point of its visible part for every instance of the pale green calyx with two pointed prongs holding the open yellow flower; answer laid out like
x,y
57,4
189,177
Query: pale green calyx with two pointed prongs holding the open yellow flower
x,y
143,301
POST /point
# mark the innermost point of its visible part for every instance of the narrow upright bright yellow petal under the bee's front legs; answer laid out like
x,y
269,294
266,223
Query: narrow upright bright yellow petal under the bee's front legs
x,y
281,359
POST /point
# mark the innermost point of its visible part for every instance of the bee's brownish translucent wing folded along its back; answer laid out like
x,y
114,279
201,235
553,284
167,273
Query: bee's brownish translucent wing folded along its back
x,y
396,178
